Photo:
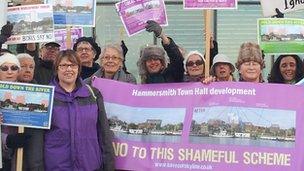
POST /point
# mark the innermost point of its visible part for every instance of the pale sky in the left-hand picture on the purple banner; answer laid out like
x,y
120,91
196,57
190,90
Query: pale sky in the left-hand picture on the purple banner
x,y
140,115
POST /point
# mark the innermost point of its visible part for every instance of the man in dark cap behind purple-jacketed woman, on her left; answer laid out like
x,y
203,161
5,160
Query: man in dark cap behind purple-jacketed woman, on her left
x,y
44,65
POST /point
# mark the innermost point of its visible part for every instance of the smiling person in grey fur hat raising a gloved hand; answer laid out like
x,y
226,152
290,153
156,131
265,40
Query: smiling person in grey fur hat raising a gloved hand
x,y
153,67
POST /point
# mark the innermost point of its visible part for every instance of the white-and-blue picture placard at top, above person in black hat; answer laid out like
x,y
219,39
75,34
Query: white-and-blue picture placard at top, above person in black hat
x,y
74,12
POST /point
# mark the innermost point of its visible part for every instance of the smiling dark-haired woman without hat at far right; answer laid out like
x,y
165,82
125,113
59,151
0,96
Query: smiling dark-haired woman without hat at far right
x,y
287,69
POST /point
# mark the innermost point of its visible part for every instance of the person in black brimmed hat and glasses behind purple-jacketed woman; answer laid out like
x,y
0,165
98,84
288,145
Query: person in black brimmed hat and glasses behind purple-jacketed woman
x,y
88,51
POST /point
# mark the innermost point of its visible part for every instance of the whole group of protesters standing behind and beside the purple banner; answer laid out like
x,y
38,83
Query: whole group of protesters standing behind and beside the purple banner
x,y
79,138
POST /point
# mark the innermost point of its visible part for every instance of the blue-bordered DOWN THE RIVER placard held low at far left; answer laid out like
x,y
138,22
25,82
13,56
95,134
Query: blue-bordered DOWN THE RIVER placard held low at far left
x,y
26,105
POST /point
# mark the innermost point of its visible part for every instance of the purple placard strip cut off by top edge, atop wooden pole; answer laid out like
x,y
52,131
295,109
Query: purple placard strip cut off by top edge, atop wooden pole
x,y
210,4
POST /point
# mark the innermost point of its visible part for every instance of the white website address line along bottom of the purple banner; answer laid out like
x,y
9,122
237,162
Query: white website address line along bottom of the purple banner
x,y
183,166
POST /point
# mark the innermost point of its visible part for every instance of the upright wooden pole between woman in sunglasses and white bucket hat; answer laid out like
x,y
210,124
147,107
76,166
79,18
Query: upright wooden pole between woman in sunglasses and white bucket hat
x,y
208,16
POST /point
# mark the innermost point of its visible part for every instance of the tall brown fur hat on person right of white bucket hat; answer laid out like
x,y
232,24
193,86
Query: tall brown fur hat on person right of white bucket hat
x,y
250,52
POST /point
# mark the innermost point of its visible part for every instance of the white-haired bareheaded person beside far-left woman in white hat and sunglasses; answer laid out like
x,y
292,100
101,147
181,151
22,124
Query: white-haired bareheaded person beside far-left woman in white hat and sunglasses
x,y
27,64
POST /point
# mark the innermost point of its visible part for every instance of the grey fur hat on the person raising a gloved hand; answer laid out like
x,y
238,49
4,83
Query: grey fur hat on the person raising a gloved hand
x,y
153,52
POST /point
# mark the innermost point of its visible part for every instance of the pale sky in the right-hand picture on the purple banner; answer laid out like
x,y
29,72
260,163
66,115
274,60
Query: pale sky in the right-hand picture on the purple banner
x,y
257,116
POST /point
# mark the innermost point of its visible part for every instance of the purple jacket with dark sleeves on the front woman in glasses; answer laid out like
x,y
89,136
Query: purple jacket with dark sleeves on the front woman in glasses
x,y
72,143
